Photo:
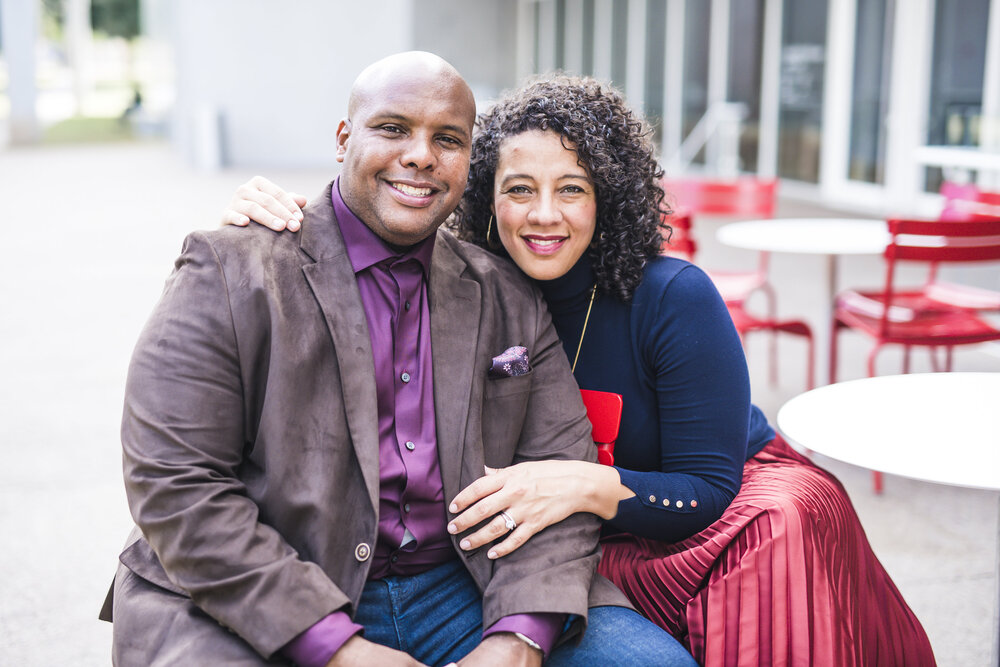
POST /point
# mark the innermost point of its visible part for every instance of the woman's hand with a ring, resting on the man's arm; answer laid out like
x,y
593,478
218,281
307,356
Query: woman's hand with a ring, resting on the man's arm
x,y
535,495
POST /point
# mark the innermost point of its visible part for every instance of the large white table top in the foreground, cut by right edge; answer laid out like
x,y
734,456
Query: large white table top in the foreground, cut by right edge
x,y
937,427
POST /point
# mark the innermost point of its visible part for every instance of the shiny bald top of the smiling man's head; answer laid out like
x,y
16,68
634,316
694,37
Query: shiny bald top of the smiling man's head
x,y
409,67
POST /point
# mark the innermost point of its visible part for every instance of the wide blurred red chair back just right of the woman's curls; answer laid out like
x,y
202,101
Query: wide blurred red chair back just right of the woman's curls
x,y
747,197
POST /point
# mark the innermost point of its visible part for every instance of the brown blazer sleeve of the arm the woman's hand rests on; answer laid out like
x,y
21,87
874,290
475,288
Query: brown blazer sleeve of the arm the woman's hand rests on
x,y
552,572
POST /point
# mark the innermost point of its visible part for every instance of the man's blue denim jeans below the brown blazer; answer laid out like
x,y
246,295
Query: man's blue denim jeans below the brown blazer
x,y
437,617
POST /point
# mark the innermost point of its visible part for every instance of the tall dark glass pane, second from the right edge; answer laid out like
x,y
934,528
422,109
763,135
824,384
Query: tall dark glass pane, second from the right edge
x,y
870,94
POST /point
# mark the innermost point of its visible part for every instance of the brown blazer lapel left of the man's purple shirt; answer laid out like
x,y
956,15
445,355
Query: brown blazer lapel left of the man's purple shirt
x,y
335,287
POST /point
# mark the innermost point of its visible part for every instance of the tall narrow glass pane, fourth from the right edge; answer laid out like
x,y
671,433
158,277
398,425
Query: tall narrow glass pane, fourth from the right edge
x,y
746,31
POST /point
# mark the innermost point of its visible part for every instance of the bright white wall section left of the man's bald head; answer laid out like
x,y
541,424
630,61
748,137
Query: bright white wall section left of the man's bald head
x,y
276,74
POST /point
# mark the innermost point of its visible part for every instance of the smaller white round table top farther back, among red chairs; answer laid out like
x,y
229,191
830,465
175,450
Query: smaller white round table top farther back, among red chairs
x,y
821,236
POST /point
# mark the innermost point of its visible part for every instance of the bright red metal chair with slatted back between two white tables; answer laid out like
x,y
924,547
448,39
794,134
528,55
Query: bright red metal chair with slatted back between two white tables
x,y
921,317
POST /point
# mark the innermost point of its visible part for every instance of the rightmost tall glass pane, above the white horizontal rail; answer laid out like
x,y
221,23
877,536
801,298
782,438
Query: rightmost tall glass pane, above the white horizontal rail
x,y
958,65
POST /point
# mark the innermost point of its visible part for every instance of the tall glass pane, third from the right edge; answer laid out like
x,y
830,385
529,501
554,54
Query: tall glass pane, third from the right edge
x,y
800,106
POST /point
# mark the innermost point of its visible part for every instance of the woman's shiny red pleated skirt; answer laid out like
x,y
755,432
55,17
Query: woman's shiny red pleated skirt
x,y
785,577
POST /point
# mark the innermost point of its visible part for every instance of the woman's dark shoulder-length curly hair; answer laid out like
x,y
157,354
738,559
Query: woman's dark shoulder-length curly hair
x,y
614,147
